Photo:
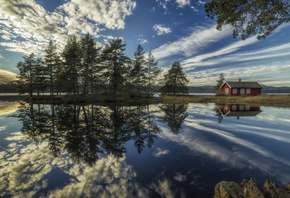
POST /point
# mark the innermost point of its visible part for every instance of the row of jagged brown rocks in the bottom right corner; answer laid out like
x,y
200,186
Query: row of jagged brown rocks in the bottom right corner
x,y
249,188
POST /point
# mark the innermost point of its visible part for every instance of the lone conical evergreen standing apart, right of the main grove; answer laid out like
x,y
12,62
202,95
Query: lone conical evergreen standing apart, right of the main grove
x,y
175,81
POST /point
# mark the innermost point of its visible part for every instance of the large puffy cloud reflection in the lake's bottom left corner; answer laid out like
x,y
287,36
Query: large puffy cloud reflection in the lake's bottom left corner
x,y
25,169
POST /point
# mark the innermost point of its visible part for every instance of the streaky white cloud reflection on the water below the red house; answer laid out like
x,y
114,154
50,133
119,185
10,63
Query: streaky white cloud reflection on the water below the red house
x,y
232,144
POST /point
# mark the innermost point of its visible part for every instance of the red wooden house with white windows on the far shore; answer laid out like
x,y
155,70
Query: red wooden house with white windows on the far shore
x,y
241,88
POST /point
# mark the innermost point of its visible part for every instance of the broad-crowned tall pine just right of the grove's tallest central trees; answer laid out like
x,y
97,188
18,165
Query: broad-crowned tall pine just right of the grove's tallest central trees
x,y
114,64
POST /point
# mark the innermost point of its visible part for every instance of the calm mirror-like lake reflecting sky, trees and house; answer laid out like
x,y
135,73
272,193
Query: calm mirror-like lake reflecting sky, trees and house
x,y
159,150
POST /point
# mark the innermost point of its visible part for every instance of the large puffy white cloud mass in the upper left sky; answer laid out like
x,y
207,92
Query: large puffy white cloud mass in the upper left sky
x,y
28,26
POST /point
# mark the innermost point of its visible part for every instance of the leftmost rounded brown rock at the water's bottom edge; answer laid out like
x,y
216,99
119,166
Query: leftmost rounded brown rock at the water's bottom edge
x,y
226,189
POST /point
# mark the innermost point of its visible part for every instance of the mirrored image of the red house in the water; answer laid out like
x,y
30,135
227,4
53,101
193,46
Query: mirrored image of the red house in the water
x,y
238,110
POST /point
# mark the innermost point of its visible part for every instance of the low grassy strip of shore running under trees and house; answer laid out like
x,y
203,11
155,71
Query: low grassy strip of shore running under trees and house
x,y
263,100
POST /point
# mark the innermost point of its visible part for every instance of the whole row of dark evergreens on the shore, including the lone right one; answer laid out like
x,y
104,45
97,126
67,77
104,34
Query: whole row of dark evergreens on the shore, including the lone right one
x,y
83,68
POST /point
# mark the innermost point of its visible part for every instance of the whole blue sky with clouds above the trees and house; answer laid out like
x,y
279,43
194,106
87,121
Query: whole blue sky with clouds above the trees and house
x,y
174,30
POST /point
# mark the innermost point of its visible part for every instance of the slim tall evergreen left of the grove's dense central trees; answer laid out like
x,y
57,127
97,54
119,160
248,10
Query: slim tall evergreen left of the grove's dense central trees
x,y
52,61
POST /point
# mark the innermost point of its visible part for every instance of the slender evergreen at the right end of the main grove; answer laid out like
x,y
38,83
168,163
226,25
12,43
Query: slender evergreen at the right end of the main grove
x,y
152,72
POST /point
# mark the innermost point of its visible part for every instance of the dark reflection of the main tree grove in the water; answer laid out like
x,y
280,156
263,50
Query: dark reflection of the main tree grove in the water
x,y
88,131
